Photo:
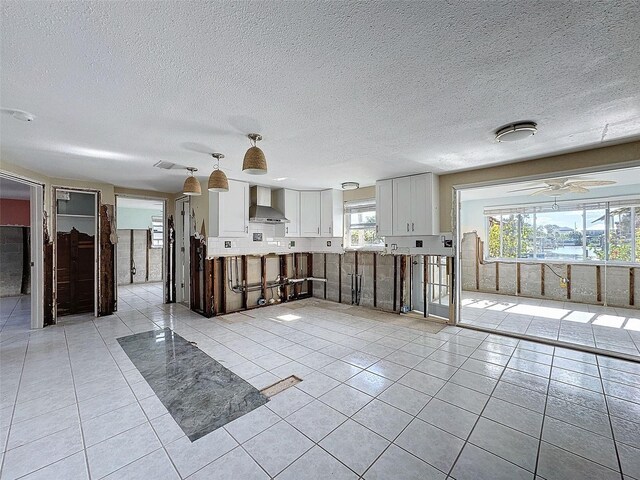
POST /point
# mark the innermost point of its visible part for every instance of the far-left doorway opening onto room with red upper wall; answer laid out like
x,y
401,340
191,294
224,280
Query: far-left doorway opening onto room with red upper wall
x,y
21,252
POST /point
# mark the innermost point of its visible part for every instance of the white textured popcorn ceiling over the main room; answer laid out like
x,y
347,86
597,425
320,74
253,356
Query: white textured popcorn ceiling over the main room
x,y
340,90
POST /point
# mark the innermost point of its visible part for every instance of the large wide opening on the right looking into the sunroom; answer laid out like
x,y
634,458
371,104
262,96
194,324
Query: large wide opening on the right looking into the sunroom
x,y
553,259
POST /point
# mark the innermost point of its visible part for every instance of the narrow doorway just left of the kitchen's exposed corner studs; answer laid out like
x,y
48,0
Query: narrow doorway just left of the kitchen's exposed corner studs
x,y
183,234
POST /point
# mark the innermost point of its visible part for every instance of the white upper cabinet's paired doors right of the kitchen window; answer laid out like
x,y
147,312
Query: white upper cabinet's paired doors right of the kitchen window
x,y
415,205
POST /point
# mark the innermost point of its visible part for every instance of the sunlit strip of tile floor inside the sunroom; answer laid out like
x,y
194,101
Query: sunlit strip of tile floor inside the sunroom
x,y
607,328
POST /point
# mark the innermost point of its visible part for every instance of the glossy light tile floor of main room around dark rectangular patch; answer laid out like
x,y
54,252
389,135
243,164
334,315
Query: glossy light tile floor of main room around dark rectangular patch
x,y
383,397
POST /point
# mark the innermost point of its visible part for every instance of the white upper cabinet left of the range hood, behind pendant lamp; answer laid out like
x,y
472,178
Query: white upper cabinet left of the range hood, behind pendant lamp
x,y
229,211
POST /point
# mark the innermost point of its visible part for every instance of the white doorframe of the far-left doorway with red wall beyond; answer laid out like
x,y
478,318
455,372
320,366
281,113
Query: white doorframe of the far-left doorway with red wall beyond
x,y
36,231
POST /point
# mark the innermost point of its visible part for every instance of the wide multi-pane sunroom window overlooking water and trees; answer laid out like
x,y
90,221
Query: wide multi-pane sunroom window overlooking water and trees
x,y
571,232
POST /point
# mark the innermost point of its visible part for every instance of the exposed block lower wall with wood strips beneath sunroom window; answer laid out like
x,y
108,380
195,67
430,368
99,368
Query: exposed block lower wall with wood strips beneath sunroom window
x,y
615,281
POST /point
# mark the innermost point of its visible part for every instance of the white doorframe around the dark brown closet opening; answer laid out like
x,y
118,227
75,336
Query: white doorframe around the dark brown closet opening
x,y
54,207
